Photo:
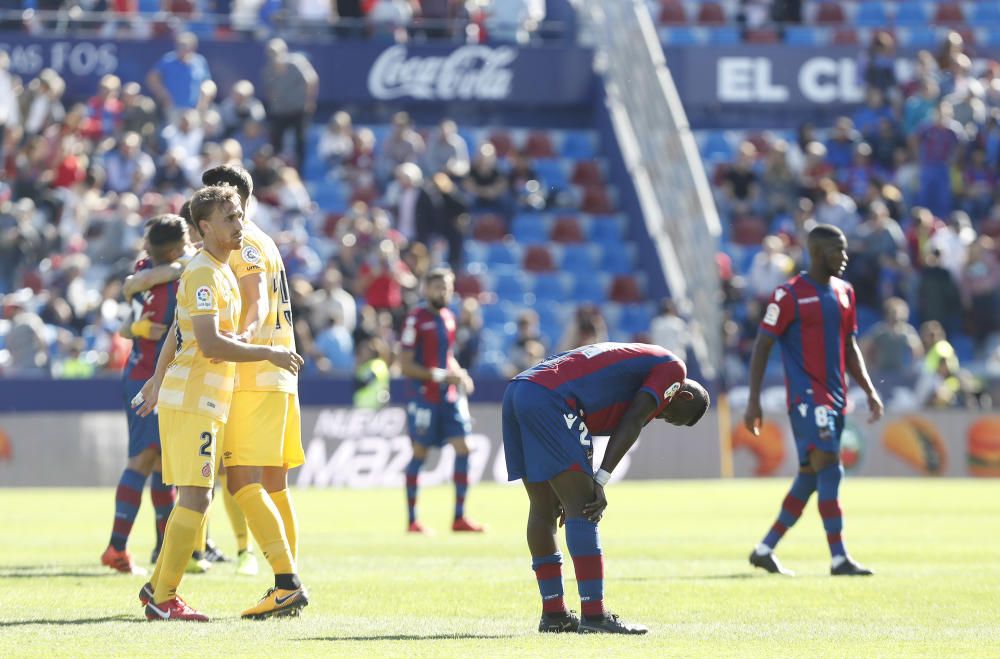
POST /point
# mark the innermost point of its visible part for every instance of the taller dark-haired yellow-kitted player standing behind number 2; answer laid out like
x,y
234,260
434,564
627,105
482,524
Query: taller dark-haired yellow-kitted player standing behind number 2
x,y
263,434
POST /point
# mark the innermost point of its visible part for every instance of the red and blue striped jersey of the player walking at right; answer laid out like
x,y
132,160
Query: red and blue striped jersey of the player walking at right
x,y
813,323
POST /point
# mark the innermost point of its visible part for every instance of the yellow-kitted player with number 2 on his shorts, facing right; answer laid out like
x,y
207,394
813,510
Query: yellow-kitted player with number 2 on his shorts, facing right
x,y
194,394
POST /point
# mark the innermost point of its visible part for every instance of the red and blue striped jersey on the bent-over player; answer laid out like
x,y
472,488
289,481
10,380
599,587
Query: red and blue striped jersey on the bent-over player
x,y
601,380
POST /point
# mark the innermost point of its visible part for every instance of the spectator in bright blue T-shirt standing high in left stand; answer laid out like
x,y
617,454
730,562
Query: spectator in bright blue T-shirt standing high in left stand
x,y
176,80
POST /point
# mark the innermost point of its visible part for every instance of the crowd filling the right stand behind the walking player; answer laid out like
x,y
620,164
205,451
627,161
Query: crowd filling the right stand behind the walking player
x,y
911,178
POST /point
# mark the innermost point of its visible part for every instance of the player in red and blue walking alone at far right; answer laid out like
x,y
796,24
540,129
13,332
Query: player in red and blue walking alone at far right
x,y
813,317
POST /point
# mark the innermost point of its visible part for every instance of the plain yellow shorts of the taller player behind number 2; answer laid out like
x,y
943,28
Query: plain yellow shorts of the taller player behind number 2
x,y
264,430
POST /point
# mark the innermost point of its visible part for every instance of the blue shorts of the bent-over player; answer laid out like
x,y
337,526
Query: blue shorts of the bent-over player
x,y
542,435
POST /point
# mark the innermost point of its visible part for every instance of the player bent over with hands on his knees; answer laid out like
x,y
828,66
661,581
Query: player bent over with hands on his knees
x,y
549,414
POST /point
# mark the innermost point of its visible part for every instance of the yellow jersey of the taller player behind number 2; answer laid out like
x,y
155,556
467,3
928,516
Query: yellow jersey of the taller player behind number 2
x,y
259,255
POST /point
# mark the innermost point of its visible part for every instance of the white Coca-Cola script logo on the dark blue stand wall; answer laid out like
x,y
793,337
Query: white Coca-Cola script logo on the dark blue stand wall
x,y
467,73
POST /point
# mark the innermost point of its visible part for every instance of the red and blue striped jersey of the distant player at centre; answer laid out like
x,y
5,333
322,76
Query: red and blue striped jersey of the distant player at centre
x,y
431,336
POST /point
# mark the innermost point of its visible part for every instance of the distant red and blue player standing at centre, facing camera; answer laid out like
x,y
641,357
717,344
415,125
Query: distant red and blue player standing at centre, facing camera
x,y
437,410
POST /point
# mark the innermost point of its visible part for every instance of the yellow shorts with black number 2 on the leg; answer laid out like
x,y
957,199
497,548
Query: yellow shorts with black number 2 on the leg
x,y
189,443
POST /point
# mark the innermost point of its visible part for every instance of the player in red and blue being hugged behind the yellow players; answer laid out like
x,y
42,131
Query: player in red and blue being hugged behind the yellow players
x,y
153,310
